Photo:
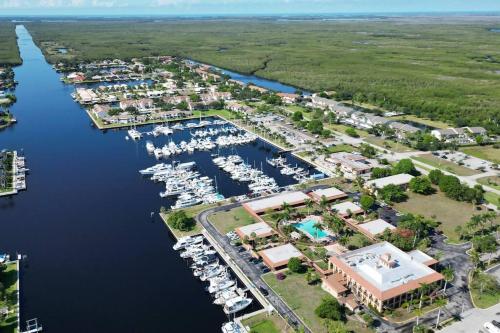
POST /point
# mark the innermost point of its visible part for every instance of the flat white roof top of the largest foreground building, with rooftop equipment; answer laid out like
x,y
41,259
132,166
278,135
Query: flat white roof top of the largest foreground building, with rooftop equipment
x,y
367,263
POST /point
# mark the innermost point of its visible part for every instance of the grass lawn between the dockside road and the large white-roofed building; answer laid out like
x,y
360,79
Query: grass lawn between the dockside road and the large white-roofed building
x,y
303,299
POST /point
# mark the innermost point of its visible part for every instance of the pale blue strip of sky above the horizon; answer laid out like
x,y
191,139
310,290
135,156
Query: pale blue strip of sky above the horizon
x,y
238,7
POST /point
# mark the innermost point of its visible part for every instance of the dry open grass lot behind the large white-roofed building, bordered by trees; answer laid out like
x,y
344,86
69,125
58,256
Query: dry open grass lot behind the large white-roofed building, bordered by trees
x,y
449,212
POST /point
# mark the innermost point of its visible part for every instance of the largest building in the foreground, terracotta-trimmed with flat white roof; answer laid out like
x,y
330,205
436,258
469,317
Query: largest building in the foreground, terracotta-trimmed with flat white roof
x,y
382,276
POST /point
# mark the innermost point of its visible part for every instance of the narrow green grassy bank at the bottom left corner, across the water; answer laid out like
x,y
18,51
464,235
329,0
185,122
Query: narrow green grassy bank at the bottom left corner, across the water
x,y
10,282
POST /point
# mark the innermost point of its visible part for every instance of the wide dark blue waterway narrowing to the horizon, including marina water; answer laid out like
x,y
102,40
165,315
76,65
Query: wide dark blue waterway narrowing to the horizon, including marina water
x,y
96,261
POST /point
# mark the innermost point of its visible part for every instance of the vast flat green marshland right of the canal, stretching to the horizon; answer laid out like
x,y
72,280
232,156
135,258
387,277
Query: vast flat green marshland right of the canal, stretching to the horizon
x,y
442,69
